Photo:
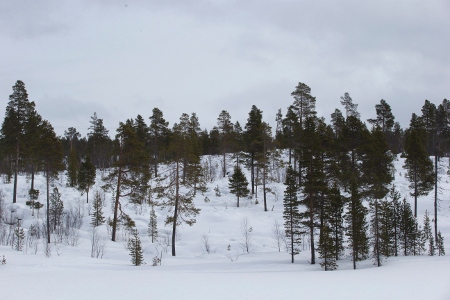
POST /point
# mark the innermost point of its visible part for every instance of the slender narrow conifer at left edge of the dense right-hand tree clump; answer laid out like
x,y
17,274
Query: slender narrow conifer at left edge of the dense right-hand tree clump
x,y
291,214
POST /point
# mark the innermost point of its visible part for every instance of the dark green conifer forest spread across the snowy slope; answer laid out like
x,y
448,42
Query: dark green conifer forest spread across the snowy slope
x,y
337,177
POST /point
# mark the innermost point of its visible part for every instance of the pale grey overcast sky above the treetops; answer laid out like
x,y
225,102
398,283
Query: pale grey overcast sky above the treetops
x,y
121,58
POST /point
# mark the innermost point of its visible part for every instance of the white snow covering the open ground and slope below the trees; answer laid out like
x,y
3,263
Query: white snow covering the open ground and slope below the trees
x,y
226,272
